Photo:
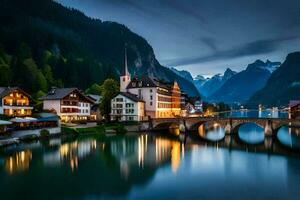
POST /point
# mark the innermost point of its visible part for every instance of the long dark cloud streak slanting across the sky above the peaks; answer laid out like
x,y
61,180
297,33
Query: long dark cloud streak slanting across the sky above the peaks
x,y
253,48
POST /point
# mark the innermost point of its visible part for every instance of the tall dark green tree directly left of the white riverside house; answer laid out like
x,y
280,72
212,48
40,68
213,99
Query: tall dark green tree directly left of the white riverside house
x,y
109,89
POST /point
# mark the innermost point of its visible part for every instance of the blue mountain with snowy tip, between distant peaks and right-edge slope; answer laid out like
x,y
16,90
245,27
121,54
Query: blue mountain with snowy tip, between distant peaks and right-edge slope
x,y
242,85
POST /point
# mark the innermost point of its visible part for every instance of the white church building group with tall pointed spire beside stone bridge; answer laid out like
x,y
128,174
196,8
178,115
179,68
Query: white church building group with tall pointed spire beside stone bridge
x,y
141,98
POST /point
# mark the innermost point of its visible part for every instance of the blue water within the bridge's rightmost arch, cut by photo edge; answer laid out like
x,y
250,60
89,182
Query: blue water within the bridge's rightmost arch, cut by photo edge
x,y
289,137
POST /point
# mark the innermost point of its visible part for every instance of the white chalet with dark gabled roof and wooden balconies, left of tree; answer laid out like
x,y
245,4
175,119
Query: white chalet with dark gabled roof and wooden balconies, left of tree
x,y
68,103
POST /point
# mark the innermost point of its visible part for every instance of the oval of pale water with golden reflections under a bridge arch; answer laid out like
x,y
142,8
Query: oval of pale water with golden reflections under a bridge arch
x,y
212,132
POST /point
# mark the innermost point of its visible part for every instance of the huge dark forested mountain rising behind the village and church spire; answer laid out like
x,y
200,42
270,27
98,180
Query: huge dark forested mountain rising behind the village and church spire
x,y
45,44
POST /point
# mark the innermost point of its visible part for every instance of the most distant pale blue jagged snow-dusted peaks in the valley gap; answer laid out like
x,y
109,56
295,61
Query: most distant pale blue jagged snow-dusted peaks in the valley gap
x,y
208,86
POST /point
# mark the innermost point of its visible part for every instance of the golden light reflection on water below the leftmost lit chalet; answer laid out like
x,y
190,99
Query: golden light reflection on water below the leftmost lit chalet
x,y
18,162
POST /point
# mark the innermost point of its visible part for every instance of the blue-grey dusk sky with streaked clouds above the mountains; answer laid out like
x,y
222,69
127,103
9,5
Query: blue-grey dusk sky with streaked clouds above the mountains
x,y
206,36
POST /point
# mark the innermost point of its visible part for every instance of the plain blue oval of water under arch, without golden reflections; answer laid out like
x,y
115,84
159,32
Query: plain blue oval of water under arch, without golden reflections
x,y
251,133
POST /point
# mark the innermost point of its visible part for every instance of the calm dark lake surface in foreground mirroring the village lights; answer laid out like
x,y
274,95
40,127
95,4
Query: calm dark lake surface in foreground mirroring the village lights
x,y
145,166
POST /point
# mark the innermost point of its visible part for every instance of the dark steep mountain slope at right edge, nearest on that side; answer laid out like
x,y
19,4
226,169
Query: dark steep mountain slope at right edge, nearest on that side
x,y
282,86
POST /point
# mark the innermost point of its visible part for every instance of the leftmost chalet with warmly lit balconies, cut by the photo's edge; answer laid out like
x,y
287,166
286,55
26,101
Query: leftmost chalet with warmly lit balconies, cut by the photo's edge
x,y
15,102
